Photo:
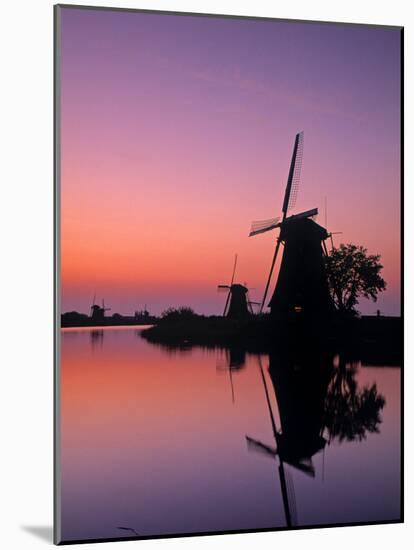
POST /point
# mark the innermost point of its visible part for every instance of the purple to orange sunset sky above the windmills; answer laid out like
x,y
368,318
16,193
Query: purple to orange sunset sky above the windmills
x,y
177,132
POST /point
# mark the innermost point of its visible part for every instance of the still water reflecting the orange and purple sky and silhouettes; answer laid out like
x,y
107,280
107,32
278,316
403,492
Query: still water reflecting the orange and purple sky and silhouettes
x,y
154,440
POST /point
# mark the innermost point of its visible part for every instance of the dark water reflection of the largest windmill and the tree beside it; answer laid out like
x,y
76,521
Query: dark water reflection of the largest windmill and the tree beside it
x,y
318,400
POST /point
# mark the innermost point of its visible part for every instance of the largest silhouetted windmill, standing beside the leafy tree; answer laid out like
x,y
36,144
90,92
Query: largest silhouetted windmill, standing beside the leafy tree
x,y
302,282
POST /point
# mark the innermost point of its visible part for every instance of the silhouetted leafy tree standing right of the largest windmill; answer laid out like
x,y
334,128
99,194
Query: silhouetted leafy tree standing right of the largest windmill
x,y
353,273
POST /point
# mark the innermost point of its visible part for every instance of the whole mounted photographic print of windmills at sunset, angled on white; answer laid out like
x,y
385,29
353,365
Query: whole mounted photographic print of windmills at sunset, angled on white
x,y
229,334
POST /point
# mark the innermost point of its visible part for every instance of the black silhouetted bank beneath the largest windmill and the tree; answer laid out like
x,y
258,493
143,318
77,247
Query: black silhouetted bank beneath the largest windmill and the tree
x,y
370,338
